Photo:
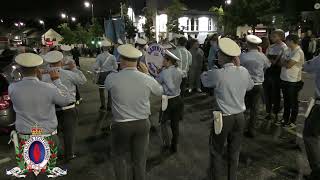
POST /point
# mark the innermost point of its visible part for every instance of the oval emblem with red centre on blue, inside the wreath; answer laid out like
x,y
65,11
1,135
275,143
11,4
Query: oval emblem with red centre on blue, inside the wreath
x,y
36,153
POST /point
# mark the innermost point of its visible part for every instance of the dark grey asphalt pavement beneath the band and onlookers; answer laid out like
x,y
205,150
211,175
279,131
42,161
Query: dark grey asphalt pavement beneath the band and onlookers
x,y
272,155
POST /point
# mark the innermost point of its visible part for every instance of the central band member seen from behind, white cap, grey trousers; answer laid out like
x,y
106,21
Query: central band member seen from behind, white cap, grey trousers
x,y
130,92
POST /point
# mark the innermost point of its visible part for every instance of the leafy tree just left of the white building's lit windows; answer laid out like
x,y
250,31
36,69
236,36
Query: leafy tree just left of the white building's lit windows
x,y
174,12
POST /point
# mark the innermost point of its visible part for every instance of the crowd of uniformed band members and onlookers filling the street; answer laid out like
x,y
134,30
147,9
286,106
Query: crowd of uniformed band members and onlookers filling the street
x,y
239,78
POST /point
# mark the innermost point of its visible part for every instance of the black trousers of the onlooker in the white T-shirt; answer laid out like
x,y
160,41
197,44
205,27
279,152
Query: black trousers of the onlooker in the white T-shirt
x,y
290,91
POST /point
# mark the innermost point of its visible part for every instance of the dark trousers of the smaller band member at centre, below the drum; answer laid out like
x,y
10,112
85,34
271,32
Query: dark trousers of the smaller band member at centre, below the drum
x,y
173,113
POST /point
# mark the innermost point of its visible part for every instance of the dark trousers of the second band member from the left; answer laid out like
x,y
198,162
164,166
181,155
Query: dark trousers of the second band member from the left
x,y
68,120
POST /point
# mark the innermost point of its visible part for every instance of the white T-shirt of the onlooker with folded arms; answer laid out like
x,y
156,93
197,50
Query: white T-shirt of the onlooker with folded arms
x,y
294,73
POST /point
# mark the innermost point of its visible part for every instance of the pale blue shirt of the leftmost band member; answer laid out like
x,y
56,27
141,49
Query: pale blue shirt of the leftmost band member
x,y
34,103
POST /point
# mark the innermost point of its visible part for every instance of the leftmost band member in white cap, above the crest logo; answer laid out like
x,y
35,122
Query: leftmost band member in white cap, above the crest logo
x,y
34,101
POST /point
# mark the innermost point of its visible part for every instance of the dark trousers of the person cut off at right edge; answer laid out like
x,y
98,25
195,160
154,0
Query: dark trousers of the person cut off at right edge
x,y
311,137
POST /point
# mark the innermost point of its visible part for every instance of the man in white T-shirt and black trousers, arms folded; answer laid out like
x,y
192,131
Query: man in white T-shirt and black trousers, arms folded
x,y
291,83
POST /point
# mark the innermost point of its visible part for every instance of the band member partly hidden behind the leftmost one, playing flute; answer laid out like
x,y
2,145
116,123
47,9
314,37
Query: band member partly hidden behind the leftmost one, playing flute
x,y
67,115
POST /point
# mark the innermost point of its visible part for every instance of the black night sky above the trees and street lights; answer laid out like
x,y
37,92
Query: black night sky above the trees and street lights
x,y
30,11
